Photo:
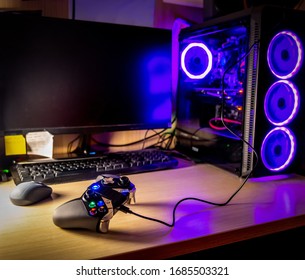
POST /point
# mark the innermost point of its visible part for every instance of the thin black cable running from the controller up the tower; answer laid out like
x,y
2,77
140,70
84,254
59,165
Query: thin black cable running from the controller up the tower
x,y
127,210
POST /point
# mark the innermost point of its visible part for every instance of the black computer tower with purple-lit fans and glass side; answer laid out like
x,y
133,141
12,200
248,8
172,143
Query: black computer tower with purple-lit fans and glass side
x,y
240,94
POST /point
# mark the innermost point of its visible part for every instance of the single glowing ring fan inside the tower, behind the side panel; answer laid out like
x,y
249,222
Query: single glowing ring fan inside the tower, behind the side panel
x,y
196,60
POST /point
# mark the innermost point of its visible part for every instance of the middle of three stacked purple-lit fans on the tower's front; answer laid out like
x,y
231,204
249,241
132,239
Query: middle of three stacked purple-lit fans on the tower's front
x,y
282,103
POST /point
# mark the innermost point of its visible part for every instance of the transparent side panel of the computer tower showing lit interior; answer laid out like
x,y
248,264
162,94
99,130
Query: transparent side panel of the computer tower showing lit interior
x,y
211,94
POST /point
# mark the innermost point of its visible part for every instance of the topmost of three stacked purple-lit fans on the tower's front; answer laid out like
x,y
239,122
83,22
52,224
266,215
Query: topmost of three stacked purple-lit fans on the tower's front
x,y
285,55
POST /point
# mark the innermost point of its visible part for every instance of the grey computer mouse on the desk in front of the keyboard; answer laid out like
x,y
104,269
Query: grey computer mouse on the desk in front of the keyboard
x,y
27,193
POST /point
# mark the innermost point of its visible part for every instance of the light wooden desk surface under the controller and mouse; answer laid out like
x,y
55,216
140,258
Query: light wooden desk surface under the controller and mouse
x,y
262,206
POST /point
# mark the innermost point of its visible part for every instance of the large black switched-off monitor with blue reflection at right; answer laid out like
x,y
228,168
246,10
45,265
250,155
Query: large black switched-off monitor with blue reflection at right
x,y
65,76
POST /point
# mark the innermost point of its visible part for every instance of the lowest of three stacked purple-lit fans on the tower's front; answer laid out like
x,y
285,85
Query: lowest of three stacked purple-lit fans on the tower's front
x,y
278,149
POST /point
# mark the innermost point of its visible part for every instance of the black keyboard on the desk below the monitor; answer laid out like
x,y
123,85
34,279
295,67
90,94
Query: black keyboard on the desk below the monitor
x,y
80,169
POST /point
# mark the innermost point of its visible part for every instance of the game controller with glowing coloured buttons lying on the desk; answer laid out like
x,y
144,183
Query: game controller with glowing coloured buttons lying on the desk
x,y
97,205
